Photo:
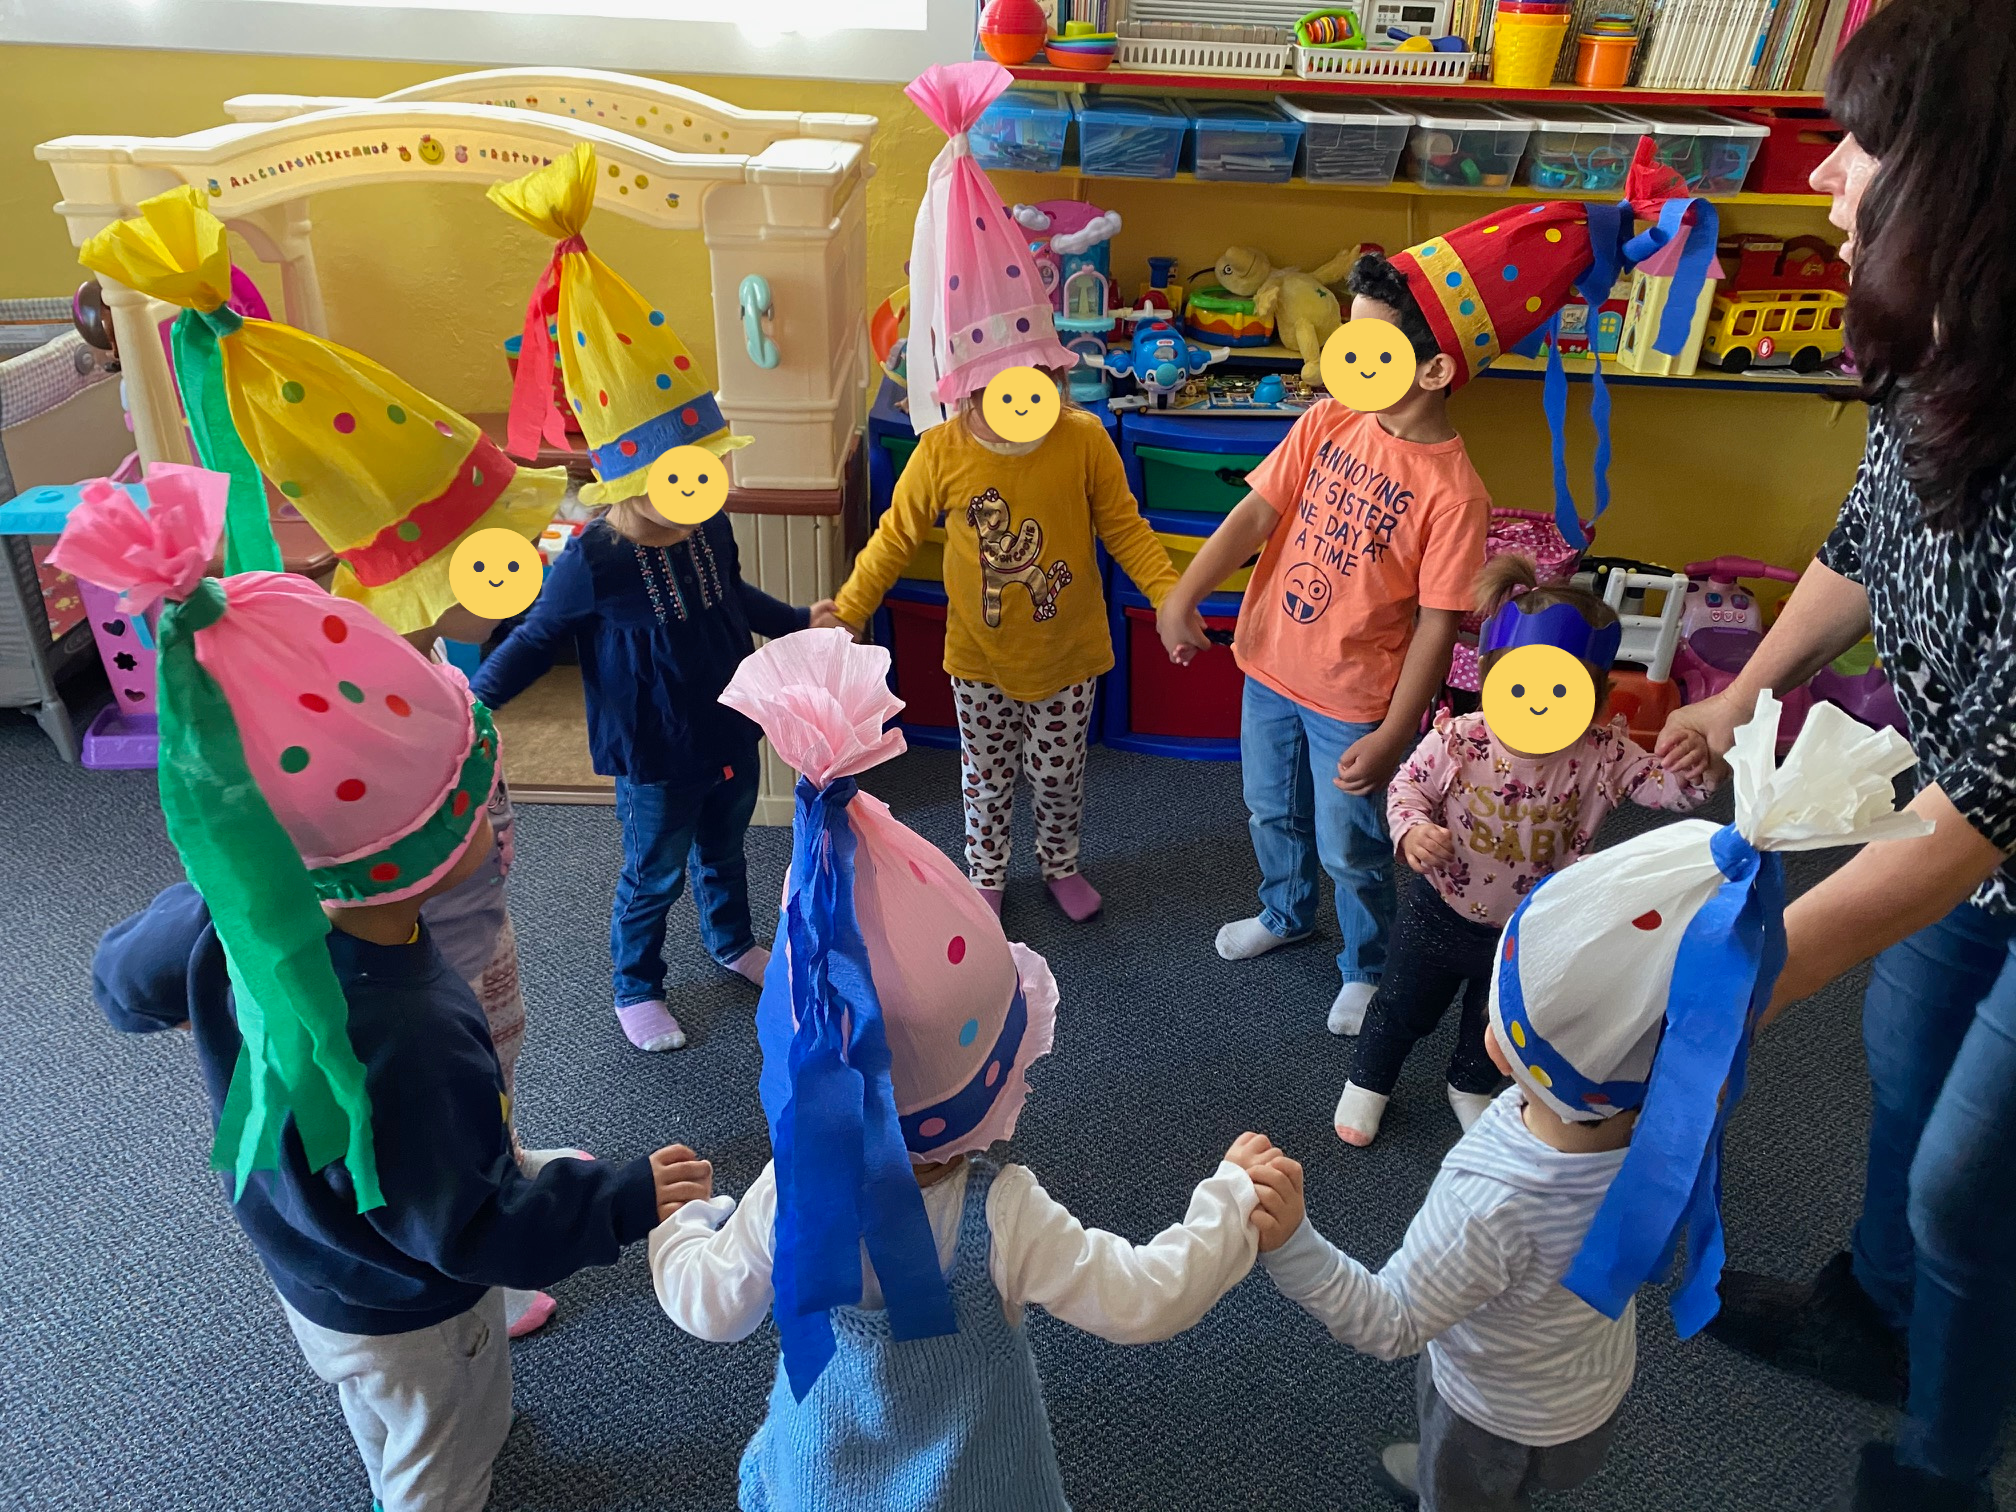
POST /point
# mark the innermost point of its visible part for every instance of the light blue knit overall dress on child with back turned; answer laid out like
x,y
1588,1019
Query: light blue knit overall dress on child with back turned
x,y
951,1424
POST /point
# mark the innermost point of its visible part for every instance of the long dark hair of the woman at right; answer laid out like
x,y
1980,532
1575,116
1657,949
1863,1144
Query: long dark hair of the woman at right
x,y
1926,88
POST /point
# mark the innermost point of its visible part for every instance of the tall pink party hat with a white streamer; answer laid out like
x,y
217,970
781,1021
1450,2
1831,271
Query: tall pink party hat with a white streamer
x,y
973,287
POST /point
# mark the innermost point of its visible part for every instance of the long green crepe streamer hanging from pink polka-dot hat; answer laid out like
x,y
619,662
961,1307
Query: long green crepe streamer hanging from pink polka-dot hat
x,y
297,1053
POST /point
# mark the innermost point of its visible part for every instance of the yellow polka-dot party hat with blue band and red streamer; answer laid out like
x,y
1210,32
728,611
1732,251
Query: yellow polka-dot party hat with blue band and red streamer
x,y
634,386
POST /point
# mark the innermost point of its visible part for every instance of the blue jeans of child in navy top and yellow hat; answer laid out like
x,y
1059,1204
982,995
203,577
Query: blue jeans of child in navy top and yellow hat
x,y
668,830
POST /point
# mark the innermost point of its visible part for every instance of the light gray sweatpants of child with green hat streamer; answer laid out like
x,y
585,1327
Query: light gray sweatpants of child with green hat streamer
x,y
428,1408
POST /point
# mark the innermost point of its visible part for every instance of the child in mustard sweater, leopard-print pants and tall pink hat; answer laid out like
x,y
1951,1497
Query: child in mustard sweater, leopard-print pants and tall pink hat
x,y
1027,632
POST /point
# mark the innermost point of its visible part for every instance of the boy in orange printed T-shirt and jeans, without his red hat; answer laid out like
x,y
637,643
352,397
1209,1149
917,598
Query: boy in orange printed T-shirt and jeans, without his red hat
x,y
1370,533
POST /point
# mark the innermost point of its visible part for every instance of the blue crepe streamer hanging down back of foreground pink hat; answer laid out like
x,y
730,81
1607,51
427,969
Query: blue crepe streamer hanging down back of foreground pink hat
x,y
844,1174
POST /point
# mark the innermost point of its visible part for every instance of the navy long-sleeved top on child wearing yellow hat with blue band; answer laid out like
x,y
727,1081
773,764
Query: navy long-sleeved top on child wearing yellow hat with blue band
x,y
660,632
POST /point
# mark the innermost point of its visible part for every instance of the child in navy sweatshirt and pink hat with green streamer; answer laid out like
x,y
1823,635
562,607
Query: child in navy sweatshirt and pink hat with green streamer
x,y
322,783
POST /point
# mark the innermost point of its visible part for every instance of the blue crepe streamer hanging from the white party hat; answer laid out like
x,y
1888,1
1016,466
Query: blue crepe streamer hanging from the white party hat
x,y
1670,1182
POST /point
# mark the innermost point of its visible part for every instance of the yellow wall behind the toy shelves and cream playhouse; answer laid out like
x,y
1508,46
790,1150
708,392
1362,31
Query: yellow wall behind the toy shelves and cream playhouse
x,y
430,281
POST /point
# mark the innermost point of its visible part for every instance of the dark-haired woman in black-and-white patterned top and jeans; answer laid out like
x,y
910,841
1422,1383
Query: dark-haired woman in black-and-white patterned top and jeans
x,y
1926,555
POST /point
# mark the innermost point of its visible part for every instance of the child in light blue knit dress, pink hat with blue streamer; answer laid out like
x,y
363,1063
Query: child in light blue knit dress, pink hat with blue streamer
x,y
896,1035
